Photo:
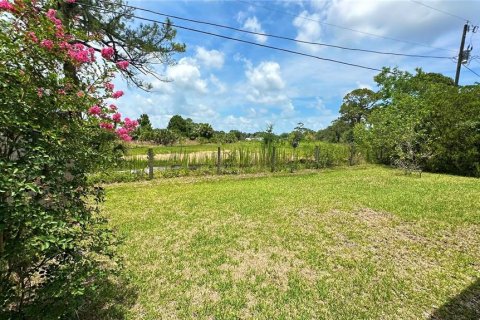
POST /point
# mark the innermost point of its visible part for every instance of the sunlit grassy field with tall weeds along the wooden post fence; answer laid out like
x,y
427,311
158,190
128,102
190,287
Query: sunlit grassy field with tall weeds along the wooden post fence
x,y
240,157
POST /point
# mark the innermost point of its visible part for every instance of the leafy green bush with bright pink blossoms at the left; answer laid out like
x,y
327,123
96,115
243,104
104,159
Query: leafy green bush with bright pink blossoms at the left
x,y
57,125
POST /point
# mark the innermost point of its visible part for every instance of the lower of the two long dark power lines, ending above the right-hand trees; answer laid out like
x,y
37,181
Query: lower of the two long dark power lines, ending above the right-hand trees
x,y
239,40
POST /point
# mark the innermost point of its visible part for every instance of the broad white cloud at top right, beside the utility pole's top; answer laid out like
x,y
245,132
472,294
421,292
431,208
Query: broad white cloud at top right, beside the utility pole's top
x,y
396,19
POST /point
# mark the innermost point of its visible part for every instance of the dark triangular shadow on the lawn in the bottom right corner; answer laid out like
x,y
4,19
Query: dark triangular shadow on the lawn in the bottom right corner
x,y
465,305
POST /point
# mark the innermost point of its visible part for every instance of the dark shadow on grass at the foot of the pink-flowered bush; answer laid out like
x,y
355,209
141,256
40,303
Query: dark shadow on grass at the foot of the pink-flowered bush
x,y
114,298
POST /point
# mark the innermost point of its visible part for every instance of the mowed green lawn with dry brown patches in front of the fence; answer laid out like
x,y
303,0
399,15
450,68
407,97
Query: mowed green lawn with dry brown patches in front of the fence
x,y
361,243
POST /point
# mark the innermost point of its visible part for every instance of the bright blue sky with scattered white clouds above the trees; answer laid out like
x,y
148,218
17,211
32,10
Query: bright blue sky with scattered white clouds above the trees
x,y
233,85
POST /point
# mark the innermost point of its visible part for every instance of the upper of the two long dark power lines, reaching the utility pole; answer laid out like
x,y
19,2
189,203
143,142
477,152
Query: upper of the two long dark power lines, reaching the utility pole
x,y
285,38
